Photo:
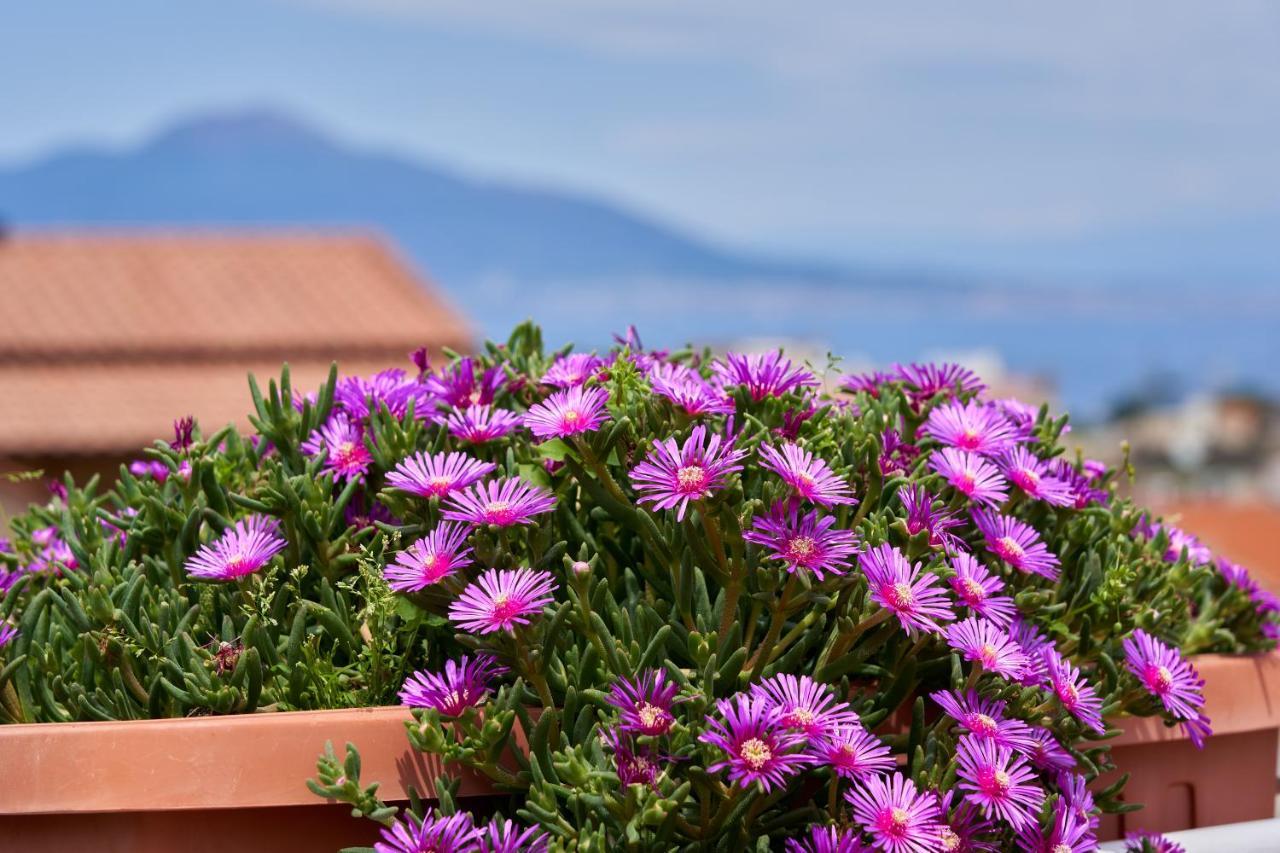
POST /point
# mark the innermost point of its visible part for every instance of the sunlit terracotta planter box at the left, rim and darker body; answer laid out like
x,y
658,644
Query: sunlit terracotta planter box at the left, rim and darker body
x,y
208,784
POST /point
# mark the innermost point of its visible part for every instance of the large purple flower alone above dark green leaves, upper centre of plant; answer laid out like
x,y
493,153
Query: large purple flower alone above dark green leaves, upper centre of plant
x,y
673,475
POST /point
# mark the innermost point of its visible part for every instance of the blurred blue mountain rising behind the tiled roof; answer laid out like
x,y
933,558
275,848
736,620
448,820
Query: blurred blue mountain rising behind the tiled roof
x,y
266,168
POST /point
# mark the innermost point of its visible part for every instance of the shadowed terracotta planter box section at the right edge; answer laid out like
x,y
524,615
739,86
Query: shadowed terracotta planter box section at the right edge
x,y
1229,782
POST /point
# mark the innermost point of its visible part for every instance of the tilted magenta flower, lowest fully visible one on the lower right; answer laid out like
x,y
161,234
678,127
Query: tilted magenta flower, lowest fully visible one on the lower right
x,y
998,782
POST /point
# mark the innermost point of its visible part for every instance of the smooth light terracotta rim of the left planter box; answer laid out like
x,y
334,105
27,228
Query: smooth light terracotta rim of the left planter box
x,y
241,761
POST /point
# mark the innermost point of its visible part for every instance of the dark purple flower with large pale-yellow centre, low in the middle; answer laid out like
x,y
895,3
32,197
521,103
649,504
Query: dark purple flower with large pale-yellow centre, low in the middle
x,y
758,749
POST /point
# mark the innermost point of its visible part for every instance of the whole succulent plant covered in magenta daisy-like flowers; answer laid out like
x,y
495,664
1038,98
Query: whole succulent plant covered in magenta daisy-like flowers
x,y
721,603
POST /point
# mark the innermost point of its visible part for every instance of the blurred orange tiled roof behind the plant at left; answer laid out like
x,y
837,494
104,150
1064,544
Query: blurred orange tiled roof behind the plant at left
x,y
107,339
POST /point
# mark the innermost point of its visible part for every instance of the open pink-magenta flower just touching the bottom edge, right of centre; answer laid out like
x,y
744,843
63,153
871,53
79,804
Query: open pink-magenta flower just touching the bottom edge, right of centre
x,y
899,818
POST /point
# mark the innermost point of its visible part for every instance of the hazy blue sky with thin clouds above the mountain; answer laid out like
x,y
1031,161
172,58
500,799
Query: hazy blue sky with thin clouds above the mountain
x,y
990,135
